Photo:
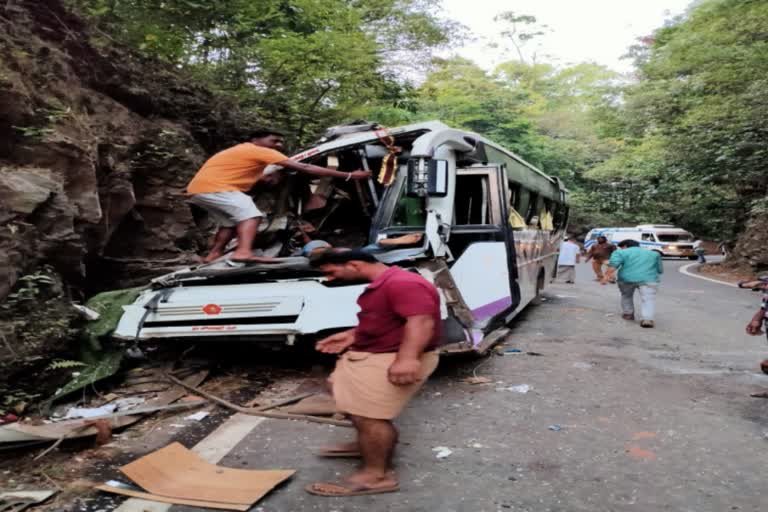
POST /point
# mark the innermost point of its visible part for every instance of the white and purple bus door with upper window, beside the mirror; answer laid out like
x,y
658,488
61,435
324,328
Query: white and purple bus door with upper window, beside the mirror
x,y
481,243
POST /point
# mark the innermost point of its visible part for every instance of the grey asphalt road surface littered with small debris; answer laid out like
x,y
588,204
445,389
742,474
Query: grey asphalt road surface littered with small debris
x,y
648,420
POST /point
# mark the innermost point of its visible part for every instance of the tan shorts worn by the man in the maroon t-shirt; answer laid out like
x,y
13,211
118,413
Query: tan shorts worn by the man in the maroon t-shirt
x,y
361,384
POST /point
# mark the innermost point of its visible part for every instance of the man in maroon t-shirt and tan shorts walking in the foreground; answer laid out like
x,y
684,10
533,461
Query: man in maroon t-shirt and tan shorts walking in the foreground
x,y
383,363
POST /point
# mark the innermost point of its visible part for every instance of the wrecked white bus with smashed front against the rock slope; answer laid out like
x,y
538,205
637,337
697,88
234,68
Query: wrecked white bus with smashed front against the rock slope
x,y
479,222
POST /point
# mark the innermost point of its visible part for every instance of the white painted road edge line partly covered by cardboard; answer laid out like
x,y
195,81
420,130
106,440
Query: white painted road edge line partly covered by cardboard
x,y
213,448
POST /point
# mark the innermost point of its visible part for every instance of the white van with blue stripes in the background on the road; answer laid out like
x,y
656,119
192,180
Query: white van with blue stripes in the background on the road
x,y
665,239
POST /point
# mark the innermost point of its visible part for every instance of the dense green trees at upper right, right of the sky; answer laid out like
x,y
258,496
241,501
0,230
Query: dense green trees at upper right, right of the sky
x,y
691,132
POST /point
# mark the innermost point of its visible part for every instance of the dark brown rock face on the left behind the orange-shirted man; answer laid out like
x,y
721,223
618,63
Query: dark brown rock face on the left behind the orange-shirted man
x,y
96,147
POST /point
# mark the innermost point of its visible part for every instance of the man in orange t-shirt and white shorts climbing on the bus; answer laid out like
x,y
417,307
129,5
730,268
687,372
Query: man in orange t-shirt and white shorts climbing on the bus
x,y
221,184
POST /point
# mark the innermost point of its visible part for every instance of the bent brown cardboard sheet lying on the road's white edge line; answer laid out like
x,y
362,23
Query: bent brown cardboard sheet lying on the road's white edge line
x,y
176,472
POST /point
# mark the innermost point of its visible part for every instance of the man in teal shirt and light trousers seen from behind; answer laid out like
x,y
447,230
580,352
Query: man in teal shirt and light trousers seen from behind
x,y
639,269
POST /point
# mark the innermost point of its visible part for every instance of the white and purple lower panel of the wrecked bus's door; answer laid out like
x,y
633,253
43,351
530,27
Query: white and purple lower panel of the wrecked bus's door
x,y
482,276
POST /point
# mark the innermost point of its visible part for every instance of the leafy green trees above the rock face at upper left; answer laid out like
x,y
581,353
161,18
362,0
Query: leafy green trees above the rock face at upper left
x,y
301,64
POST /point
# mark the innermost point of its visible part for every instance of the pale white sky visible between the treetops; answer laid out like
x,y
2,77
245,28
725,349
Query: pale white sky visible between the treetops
x,y
598,31
